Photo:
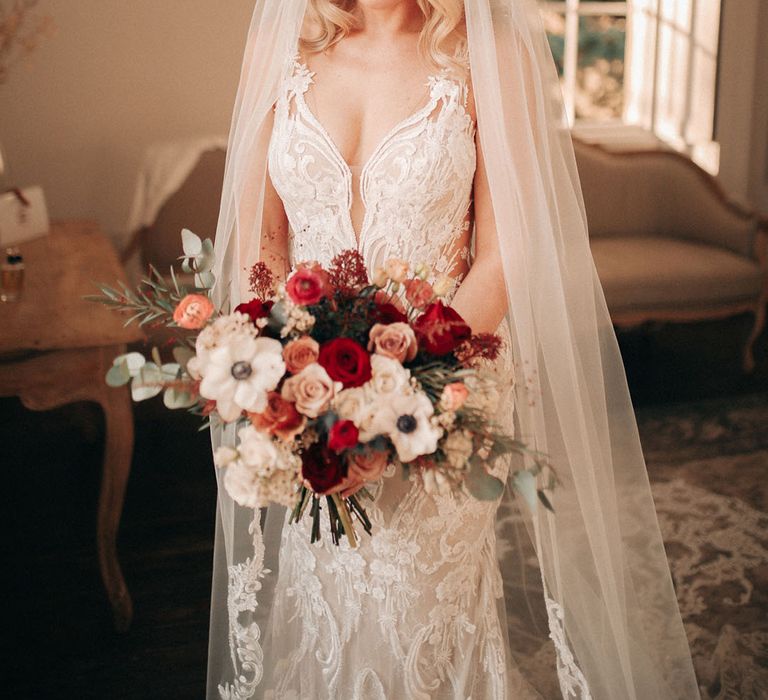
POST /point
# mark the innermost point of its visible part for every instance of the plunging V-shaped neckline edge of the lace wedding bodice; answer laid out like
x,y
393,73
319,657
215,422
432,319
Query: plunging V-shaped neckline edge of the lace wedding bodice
x,y
346,168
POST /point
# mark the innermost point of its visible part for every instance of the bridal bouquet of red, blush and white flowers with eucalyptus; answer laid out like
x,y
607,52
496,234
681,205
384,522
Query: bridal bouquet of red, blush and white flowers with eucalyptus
x,y
329,378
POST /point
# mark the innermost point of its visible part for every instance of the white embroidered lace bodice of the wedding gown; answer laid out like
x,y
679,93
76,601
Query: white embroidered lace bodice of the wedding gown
x,y
415,187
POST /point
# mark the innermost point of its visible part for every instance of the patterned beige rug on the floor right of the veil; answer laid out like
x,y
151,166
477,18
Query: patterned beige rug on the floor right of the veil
x,y
708,464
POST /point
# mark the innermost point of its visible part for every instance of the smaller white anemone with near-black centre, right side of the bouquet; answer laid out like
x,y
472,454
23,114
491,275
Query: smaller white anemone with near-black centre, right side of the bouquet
x,y
407,422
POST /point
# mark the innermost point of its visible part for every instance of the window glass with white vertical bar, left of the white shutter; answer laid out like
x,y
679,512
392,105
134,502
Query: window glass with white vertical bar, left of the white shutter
x,y
588,41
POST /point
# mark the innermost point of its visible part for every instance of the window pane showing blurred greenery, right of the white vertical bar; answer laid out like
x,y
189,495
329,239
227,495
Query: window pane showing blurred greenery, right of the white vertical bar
x,y
600,78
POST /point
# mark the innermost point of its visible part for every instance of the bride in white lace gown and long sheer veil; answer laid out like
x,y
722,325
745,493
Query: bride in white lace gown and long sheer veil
x,y
431,131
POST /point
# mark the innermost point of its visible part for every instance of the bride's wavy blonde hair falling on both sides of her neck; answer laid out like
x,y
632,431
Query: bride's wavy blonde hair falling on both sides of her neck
x,y
442,41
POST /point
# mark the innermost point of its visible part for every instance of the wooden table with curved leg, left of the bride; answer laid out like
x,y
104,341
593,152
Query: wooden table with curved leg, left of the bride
x,y
55,349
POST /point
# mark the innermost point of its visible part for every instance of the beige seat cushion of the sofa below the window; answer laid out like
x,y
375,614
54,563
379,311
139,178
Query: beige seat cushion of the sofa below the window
x,y
654,272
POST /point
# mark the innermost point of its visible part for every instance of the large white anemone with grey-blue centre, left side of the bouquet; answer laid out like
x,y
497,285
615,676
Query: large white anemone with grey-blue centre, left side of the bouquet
x,y
239,372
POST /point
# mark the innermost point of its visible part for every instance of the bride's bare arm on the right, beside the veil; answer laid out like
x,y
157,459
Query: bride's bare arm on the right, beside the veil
x,y
481,298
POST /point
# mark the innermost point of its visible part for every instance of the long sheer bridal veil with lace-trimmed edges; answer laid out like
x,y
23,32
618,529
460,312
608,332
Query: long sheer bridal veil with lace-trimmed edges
x,y
606,594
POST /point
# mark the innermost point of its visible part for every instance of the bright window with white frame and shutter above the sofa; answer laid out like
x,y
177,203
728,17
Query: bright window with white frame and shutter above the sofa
x,y
648,64
